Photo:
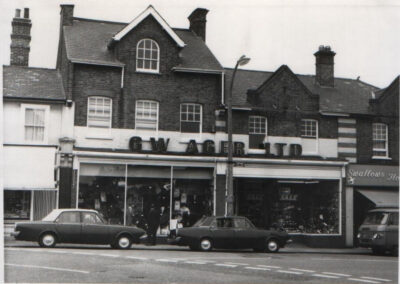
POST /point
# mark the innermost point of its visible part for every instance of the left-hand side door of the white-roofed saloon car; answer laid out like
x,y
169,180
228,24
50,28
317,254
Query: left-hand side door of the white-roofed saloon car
x,y
68,227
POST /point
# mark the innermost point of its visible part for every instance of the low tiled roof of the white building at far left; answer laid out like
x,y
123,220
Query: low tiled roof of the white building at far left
x,y
32,83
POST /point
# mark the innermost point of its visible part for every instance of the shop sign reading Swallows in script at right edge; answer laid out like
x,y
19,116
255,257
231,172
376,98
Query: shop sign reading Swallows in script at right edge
x,y
373,175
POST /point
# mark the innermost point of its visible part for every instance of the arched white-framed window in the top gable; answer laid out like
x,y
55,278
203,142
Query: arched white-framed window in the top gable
x,y
148,56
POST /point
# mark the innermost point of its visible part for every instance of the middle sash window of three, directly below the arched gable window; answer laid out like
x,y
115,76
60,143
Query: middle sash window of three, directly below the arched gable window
x,y
146,115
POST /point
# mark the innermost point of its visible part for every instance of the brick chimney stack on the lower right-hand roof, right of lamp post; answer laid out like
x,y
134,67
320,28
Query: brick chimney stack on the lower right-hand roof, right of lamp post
x,y
324,66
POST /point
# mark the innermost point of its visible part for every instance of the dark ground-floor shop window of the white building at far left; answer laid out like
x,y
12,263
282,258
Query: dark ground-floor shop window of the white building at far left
x,y
17,204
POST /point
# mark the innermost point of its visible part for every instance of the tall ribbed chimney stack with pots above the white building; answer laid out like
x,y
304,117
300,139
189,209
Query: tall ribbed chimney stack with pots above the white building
x,y
20,38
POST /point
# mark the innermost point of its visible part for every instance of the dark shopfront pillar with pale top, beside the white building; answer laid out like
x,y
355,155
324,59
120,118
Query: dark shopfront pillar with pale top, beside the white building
x,y
65,173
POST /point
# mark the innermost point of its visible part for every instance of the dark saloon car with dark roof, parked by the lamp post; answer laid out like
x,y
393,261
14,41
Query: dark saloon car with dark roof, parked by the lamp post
x,y
230,232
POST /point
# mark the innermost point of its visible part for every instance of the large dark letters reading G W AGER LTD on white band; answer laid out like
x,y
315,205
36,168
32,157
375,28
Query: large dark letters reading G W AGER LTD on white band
x,y
161,146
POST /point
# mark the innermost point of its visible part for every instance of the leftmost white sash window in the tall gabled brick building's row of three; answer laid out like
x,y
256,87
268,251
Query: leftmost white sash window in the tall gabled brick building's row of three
x,y
99,112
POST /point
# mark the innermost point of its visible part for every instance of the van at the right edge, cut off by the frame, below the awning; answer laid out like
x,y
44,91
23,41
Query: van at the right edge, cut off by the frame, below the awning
x,y
380,231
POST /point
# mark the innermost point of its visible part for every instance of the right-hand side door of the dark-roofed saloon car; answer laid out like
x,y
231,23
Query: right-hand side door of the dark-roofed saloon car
x,y
246,235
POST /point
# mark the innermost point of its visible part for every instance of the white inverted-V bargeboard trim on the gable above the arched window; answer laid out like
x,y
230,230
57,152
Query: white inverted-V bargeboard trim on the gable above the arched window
x,y
149,11
